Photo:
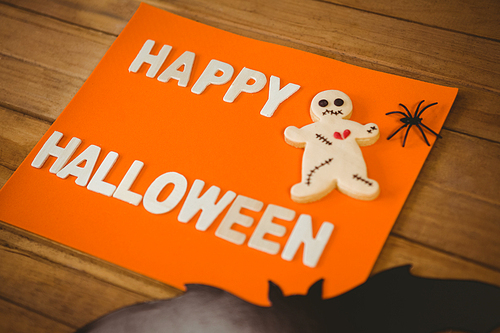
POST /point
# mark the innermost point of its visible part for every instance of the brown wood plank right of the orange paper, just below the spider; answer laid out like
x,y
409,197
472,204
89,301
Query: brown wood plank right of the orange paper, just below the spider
x,y
454,205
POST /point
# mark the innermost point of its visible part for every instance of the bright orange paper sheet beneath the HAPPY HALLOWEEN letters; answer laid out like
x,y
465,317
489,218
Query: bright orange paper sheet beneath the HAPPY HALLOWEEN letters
x,y
229,145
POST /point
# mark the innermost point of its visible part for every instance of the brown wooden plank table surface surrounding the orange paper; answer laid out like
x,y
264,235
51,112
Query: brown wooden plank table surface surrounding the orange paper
x,y
450,224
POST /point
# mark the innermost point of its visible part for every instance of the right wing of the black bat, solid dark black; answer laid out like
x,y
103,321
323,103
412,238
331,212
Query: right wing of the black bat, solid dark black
x,y
396,301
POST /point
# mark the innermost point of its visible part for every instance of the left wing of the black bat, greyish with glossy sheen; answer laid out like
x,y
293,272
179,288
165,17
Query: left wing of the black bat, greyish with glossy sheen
x,y
200,309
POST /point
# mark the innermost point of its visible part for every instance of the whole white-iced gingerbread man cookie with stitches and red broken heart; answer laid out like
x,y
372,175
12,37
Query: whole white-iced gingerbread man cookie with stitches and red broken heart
x,y
332,157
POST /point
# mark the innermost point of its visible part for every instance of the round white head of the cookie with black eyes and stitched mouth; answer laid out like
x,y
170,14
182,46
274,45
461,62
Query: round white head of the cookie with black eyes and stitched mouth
x,y
331,105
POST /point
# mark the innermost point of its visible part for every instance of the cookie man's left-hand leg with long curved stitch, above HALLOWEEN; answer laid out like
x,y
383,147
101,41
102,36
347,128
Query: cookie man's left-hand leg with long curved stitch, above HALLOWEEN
x,y
317,181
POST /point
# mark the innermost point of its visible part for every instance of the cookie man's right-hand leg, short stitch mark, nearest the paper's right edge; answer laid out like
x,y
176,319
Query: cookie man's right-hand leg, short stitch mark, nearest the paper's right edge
x,y
358,186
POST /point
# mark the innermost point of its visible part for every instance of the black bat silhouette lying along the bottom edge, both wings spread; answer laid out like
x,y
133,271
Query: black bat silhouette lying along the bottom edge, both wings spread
x,y
393,301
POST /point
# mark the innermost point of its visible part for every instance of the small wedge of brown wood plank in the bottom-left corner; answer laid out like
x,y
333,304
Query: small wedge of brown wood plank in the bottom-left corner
x,y
16,319
